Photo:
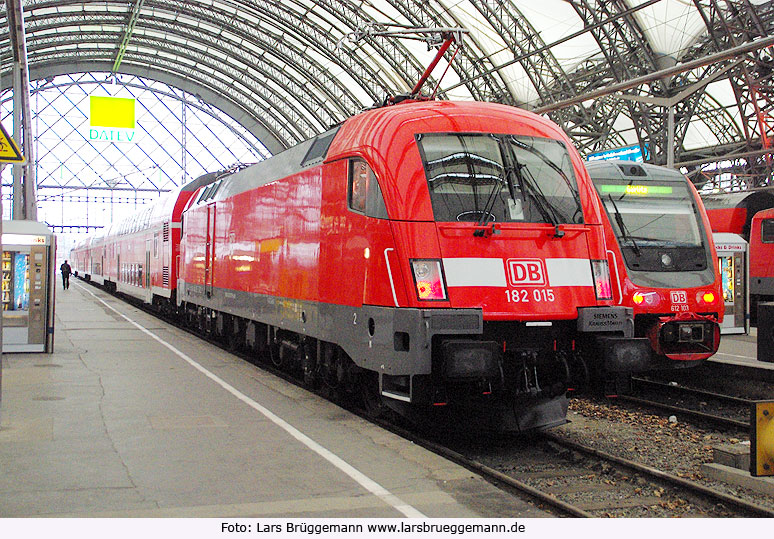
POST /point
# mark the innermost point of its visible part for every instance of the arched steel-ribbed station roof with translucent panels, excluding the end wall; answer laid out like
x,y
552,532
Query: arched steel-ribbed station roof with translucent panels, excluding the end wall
x,y
289,69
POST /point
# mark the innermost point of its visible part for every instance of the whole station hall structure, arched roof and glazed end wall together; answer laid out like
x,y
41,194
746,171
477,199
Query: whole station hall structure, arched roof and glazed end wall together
x,y
217,84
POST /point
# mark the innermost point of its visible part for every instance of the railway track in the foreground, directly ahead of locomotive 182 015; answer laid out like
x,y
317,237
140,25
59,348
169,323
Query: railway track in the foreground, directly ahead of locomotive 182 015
x,y
576,480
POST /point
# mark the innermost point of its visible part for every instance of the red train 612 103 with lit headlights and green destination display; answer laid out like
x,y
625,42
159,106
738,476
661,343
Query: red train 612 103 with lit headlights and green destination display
x,y
661,247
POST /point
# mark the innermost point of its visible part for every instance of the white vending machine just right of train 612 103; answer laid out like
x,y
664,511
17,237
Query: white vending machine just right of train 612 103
x,y
733,263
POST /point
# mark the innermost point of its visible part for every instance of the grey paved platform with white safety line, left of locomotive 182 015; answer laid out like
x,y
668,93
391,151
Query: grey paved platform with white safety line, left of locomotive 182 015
x,y
131,417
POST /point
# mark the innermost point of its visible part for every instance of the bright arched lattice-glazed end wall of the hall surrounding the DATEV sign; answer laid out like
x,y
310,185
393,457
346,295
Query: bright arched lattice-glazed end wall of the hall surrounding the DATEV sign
x,y
78,170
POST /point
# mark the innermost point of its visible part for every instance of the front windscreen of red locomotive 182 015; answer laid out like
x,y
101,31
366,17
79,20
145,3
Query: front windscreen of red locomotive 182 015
x,y
499,178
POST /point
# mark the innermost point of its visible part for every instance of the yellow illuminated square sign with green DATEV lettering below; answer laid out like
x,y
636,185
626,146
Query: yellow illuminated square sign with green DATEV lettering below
x,y
112,119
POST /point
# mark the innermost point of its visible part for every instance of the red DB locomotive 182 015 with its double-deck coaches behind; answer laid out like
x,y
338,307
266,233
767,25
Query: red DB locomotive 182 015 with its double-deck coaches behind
x,y
435,255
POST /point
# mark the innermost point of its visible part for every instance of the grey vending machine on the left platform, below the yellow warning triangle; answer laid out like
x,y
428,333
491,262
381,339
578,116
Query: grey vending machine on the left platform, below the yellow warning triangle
x,y
28,278
